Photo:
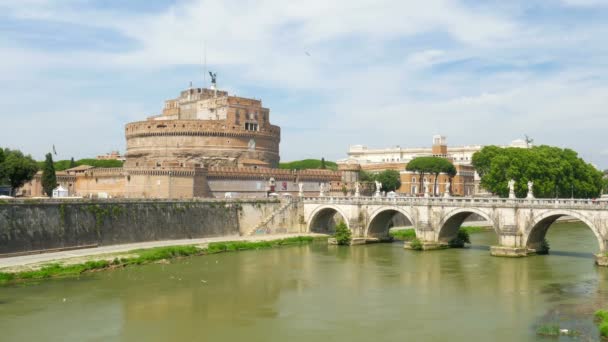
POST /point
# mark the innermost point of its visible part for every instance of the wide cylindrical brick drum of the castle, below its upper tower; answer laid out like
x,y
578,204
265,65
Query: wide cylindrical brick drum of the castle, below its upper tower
x,y
208,142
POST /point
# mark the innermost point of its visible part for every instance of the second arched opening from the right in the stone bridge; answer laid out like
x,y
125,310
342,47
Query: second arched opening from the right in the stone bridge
x,y
477,224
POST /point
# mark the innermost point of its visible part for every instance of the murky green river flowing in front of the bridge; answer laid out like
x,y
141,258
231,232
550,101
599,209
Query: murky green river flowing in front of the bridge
x,y
323,293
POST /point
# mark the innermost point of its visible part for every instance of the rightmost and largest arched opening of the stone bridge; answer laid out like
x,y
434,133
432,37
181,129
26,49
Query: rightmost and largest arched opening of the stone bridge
x,y
569,234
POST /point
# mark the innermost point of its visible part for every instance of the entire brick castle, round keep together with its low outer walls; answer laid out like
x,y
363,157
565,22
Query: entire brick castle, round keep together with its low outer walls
x,y
205,143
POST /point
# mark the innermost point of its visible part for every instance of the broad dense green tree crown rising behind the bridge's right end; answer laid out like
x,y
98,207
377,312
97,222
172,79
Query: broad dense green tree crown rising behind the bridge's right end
x,y
555,172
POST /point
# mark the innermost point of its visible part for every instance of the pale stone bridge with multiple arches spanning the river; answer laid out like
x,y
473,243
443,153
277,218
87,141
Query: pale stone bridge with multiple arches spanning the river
x,y
520,224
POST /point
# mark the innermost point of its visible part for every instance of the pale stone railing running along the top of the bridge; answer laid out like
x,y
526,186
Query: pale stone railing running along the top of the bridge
x,y
523,202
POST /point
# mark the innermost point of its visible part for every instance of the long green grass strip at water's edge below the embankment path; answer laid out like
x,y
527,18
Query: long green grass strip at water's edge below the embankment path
x,y
146,256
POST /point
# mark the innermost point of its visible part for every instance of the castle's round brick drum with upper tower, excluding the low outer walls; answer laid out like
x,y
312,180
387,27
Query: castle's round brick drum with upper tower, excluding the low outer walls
x,y
205,127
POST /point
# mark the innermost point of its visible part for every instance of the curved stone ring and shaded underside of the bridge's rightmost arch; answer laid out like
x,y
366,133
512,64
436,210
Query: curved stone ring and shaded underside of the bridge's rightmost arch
x,y
535,232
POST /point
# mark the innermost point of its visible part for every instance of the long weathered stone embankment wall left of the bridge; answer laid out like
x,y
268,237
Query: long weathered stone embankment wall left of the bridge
x,y
27,226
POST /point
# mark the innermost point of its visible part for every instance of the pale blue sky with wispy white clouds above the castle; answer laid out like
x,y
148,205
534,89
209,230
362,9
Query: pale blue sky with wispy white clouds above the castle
x,y
334,73
